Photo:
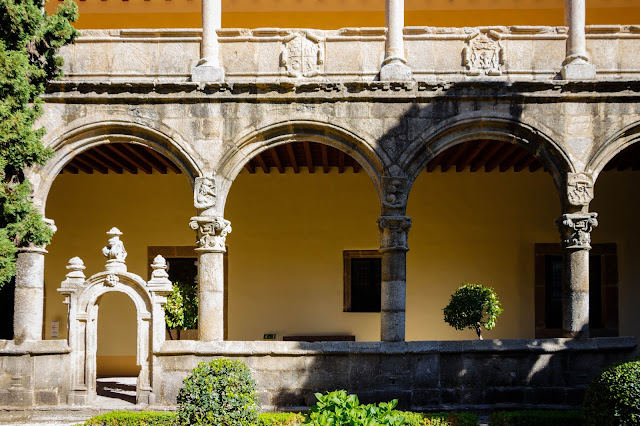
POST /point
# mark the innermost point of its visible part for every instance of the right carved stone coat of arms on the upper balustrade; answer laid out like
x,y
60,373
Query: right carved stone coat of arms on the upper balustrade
x,y
483,55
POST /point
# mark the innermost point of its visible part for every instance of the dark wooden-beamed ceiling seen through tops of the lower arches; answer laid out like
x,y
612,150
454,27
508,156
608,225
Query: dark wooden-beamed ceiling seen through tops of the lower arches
x,y
475,156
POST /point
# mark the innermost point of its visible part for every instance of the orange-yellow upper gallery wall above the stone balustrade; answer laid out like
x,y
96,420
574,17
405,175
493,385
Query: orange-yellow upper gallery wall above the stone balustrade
x,y
333,14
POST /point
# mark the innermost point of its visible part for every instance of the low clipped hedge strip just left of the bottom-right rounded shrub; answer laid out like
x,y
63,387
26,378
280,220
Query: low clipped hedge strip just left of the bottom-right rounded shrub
x,y
537,417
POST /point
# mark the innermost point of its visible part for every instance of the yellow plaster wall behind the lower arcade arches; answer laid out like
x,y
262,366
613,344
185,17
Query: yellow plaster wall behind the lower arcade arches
x,y
289,232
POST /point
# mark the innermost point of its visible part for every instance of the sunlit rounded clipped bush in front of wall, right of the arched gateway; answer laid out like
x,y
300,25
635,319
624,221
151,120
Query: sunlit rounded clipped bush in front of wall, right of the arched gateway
x,y
220,393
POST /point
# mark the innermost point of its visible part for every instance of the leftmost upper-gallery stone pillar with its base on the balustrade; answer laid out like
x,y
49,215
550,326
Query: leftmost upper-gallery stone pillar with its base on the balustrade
x,y
208,68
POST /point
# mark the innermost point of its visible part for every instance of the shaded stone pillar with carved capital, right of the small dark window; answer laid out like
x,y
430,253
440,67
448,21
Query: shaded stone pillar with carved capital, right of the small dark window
x,y
393,246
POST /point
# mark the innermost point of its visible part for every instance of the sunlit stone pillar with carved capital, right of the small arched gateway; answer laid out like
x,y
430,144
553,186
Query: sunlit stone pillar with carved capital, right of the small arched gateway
x,y
212,232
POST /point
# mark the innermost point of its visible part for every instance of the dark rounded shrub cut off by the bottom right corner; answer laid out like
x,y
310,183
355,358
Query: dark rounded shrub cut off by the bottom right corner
x,y
613,397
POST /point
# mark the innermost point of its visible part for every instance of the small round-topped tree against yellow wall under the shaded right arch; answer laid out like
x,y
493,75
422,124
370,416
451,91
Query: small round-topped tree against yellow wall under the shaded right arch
x,y
473,306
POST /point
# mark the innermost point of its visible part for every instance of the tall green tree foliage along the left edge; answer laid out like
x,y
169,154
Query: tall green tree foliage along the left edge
x,y
29,41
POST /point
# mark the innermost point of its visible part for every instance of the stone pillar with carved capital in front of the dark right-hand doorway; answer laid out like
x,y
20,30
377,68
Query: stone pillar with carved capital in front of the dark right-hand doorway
x,y
575,229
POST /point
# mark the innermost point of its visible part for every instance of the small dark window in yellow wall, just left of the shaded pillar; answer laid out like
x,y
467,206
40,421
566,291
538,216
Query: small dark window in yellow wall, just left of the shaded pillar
x,y
362,279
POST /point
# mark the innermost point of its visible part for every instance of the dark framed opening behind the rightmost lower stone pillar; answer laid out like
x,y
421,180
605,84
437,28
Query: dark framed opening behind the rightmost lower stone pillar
x,y
603,290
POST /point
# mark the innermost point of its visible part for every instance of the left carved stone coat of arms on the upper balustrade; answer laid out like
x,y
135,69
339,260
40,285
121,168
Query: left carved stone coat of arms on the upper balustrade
x,y
302,55
